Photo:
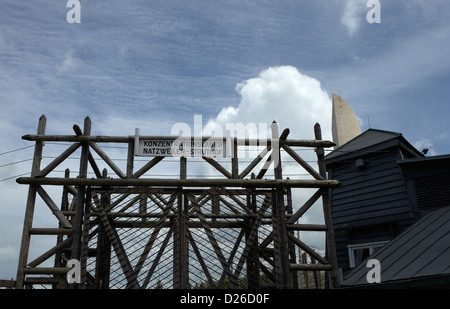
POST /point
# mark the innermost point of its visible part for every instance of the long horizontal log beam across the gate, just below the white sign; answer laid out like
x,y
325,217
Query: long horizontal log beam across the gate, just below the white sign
x,y
242,183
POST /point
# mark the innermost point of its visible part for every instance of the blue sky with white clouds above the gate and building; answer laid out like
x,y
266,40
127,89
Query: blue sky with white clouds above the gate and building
x,y
151,64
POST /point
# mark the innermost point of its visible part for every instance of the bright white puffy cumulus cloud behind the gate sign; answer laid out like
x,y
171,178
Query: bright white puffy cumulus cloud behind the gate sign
x,y
282,94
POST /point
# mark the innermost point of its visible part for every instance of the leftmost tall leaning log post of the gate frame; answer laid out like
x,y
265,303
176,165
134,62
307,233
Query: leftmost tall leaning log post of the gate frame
x,y
29,210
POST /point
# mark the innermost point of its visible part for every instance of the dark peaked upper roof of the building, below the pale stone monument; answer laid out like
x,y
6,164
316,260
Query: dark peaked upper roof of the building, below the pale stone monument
x,y
370,141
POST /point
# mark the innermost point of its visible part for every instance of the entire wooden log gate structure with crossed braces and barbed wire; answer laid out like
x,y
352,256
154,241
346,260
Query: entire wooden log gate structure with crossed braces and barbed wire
x,y
128,230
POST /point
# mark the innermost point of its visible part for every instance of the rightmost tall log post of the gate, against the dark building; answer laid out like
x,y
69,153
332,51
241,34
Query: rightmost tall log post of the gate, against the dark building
x,y
330,242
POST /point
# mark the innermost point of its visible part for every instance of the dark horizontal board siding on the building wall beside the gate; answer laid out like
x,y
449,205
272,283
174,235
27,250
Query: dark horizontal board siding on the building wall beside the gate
x,y
371,204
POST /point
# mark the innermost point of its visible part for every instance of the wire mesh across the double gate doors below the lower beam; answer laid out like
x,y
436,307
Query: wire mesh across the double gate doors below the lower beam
x,y
223,232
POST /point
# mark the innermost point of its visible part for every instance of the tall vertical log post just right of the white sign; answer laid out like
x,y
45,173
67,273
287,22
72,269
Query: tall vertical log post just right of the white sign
x,y
281,250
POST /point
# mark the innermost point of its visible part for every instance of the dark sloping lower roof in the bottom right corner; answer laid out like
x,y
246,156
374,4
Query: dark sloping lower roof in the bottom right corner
x,y
421,252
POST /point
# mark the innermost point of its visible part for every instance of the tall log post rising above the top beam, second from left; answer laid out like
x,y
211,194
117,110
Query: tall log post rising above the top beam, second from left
x,y
79,203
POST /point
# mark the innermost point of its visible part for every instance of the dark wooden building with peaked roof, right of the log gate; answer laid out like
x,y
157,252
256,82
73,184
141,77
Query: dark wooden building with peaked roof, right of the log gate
x,y
387,186
